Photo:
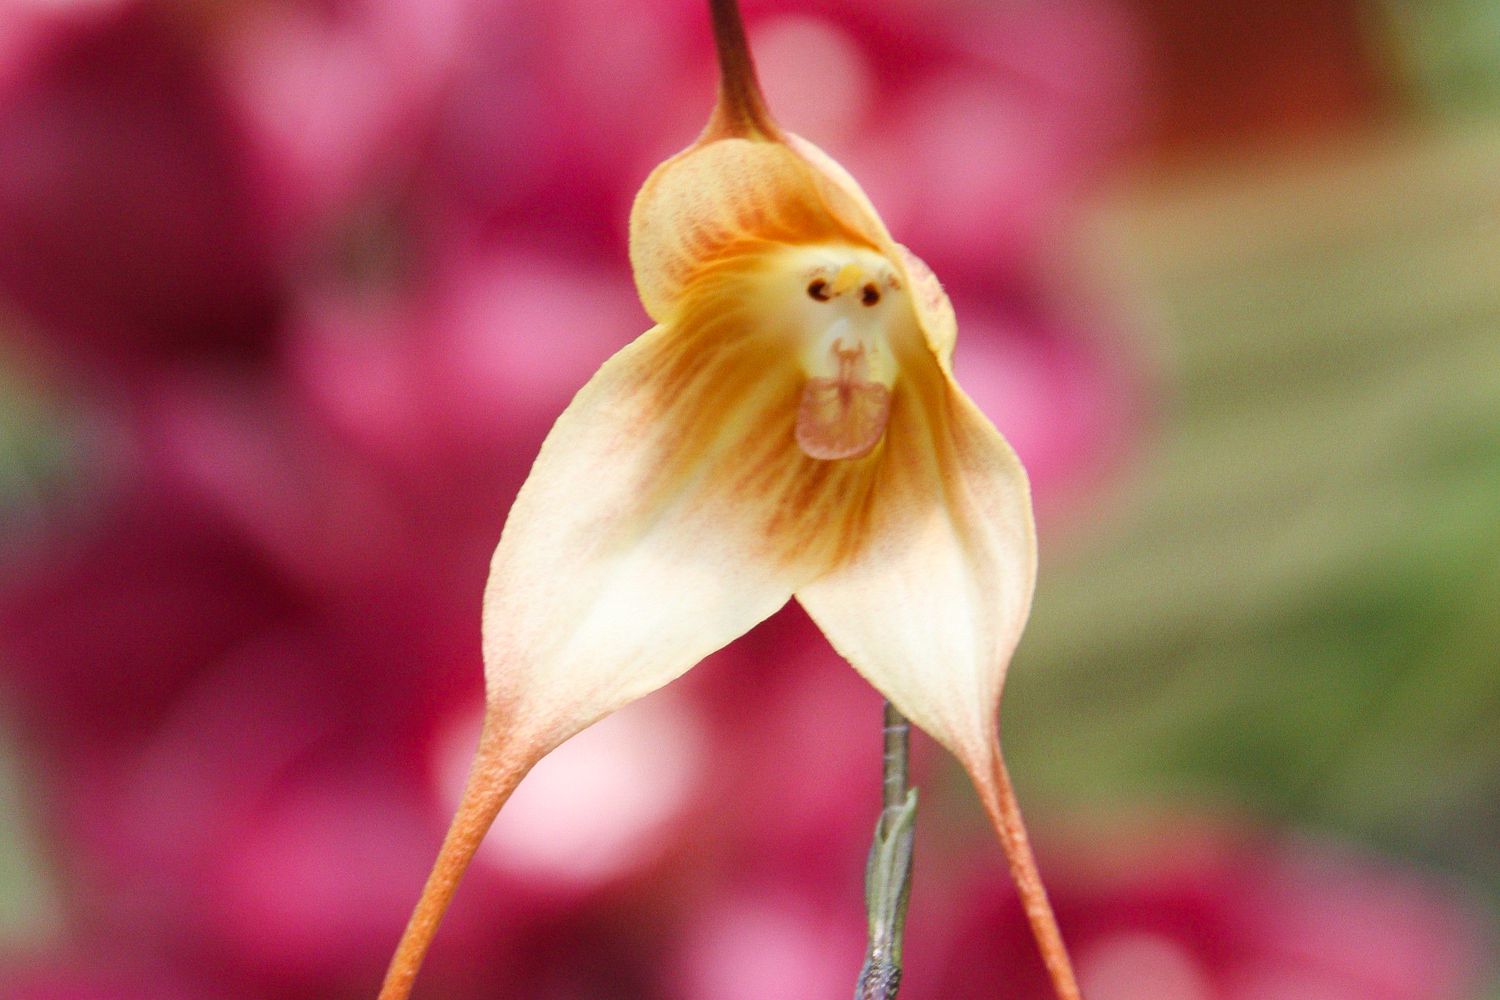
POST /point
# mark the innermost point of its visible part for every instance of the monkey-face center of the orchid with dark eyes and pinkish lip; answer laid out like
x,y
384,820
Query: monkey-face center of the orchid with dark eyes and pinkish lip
x,y
851,307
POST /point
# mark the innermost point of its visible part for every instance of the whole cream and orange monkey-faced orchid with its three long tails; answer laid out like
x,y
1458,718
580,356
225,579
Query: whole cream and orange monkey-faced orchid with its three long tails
x,y
790,428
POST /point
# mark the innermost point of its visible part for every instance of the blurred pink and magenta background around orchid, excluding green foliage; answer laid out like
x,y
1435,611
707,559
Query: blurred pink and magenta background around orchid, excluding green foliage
x,y
290,293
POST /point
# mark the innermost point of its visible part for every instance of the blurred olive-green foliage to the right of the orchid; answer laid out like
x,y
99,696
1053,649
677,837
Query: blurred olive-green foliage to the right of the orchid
x,y
1294,609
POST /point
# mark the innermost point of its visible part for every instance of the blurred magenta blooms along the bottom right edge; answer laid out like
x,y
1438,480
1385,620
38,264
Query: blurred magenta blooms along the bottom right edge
x,y
1192,911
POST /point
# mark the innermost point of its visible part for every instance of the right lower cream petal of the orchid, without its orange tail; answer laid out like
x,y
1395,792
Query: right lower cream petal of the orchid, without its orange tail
x,y
932,603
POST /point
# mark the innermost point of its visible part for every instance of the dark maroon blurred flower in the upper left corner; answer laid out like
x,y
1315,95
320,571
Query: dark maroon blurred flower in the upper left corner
x,y
133,217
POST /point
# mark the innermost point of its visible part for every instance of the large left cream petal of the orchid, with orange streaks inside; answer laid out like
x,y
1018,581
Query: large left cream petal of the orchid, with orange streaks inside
x,y
668,513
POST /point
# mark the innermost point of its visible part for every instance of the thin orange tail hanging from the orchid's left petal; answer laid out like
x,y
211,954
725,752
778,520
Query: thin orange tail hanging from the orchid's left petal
x,y
494,776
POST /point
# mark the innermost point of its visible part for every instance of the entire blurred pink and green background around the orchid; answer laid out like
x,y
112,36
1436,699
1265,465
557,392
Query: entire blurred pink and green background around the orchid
x,y
292,290
